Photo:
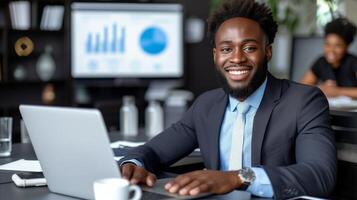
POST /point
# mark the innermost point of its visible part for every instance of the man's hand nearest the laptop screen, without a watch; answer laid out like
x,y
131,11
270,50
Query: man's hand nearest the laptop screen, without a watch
x,y
137,174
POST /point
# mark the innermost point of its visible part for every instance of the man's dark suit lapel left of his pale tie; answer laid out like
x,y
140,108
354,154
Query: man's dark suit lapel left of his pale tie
x,y
215,120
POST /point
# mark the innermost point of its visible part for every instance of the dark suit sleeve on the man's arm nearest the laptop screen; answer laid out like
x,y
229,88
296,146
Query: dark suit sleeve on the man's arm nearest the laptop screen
x,y
172,144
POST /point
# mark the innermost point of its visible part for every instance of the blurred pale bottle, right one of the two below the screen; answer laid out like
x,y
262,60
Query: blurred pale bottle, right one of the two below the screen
x,y
154,121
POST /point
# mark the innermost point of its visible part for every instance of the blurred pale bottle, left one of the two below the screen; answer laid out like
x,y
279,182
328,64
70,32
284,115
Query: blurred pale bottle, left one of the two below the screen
x,y
129,117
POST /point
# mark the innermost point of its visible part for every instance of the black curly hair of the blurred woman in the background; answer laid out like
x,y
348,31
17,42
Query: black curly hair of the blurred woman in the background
x,y
343,28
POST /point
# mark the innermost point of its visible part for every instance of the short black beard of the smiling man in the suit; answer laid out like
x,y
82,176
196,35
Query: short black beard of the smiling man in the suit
x,y
242,93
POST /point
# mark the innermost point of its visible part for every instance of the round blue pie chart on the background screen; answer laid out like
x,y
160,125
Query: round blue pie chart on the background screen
x,y
153,40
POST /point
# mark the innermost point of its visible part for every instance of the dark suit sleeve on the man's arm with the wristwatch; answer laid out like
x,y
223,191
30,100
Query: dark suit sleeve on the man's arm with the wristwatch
x,y
314,173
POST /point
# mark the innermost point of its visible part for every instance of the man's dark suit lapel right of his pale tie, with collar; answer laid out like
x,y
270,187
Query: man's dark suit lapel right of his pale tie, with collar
x,y
270,99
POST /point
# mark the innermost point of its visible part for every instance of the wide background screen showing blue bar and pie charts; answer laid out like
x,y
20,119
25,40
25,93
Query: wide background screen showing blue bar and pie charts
x,y
114,40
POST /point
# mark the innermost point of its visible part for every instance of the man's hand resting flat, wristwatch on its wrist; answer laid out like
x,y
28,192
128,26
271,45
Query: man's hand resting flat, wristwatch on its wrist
x,y
203,181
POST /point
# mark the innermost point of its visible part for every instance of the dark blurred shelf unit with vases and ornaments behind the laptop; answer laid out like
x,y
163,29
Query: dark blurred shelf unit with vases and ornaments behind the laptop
x,y
31,89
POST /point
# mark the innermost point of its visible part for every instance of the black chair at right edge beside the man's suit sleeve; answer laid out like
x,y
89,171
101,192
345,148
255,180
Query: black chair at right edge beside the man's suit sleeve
x,y
344,124
